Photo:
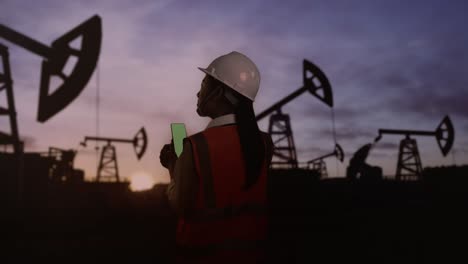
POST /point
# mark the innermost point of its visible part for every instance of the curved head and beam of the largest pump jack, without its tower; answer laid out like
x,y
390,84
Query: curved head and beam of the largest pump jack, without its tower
x,y
55,59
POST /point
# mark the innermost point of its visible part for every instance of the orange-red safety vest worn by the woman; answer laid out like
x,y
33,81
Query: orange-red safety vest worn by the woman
x,y
229,225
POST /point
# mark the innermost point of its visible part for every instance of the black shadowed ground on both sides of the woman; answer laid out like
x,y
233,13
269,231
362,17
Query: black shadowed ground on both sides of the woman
x,y
331,220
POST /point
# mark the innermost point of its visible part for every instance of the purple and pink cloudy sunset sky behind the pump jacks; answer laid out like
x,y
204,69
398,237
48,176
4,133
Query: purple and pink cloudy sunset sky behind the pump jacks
x,y
391,64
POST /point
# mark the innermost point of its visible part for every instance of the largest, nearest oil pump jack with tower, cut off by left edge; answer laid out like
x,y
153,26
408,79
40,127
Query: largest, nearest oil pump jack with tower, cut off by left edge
x,y
55,59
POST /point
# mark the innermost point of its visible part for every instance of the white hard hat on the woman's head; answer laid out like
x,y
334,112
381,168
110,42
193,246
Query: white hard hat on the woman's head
x,y
236,71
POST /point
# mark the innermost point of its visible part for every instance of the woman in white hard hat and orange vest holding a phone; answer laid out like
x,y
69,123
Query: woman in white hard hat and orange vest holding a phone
x,y
218,184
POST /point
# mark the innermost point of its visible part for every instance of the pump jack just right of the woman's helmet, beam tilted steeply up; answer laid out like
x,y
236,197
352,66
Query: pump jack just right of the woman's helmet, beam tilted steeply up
x,y
284,151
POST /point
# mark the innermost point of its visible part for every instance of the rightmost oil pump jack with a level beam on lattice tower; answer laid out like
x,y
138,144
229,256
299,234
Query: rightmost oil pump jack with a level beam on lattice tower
x,y
409,165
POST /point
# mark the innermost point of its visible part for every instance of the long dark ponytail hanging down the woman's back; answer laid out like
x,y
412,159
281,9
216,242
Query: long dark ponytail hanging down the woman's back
x,y
253,148
